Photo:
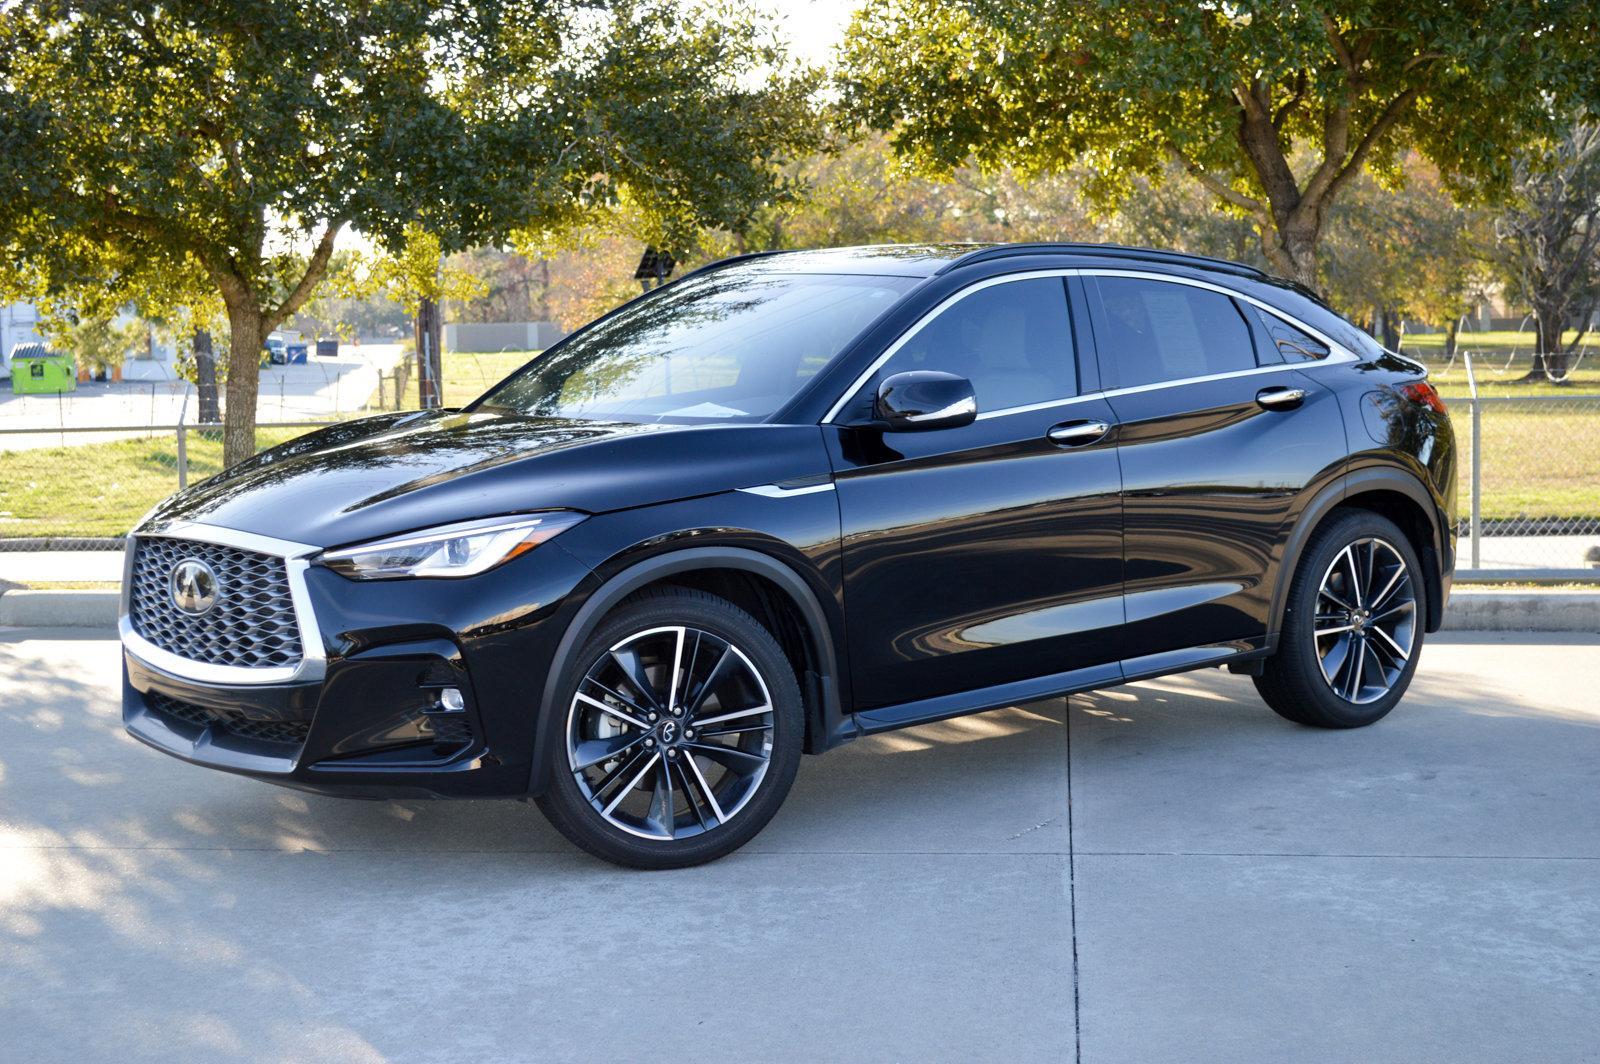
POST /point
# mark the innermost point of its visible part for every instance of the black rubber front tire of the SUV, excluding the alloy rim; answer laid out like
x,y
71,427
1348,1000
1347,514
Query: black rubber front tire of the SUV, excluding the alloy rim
x,y
570,810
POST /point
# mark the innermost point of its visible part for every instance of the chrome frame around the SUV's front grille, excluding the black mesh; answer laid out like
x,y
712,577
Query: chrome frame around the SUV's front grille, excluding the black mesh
x,y
297,559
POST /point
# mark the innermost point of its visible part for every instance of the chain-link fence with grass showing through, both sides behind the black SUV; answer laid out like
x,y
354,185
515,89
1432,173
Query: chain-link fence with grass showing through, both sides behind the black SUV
x,y
1529,492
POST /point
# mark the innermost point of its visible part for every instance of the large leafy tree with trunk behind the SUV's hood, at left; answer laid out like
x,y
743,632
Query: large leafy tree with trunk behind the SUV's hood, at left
x,y
246,137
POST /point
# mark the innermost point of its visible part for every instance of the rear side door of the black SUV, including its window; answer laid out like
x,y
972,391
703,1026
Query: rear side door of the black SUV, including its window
x,y
1215,449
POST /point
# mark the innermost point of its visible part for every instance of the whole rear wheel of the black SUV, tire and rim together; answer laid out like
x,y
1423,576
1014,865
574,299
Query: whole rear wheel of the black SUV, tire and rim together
x,y
1353,630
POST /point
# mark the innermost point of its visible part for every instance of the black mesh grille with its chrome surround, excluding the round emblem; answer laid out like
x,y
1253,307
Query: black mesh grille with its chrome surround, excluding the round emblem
x,y
228,646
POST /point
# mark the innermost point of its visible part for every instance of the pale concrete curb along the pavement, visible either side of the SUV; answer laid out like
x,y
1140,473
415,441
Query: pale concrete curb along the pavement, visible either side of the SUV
x,y
1470,610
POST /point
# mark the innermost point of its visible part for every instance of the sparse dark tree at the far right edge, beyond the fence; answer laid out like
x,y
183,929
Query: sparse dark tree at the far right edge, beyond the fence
x,y
1548,244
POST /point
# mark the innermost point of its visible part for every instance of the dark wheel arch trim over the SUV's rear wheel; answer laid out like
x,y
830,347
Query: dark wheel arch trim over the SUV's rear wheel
x,y
1393,494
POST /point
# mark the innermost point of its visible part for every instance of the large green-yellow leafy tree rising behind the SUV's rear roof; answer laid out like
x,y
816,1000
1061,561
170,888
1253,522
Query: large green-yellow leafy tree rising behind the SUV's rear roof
x,y
1228,92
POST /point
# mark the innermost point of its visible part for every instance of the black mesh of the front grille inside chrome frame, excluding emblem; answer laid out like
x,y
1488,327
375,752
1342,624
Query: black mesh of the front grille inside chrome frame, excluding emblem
x,y
252,626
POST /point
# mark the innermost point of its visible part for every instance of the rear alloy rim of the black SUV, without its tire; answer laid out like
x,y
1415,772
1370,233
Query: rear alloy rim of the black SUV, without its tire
x,y
1366,623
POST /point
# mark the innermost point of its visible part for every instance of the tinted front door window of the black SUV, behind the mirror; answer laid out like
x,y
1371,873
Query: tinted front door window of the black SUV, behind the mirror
x,y
1014,342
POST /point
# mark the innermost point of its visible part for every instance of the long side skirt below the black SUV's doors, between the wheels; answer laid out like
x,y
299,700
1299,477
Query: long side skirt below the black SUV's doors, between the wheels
x,y
1058,684
